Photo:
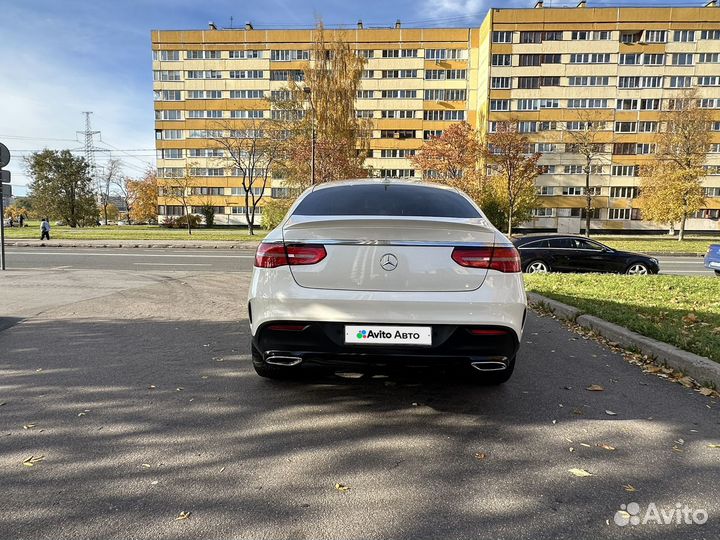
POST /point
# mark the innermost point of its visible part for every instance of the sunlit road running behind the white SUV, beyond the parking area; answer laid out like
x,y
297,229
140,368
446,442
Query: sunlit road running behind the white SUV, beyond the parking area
x,y
206,260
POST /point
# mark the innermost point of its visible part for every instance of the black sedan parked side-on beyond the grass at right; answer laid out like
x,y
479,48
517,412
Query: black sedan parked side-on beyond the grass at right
x,y
542,253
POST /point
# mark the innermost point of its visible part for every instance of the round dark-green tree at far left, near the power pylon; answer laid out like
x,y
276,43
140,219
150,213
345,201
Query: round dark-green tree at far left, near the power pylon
x,y
61,187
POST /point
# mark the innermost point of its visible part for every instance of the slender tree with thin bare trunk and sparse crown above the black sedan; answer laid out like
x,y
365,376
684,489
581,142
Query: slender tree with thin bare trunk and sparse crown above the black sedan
x,y
585,140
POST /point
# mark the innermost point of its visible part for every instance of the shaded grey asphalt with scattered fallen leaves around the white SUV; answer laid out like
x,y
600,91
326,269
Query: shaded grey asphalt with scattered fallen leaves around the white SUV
x,y
136,390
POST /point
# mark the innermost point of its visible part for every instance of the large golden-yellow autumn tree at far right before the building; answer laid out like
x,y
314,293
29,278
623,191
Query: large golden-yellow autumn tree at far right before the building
x,y
671,184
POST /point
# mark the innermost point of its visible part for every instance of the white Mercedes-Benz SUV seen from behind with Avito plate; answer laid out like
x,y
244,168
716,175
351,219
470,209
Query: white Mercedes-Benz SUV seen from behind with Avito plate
x,y
386,273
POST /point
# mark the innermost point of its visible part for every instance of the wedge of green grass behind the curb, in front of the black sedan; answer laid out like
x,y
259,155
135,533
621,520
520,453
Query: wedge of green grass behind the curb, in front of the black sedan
x,y
681,310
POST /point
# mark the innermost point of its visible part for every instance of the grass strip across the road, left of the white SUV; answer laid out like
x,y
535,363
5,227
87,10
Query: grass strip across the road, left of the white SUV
x,y
135,232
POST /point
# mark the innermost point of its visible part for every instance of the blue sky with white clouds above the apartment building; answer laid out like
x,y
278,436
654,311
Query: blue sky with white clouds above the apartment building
x,y
60,58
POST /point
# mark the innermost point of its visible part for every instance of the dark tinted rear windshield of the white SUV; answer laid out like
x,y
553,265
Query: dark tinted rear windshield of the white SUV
x,y
386,200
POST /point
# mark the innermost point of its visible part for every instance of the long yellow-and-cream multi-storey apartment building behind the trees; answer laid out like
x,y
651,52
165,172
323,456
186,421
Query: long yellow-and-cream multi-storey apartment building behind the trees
x,y
541,66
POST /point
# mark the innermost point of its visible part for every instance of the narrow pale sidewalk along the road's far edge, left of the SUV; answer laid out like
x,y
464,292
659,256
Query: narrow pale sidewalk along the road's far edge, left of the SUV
x,y
184,244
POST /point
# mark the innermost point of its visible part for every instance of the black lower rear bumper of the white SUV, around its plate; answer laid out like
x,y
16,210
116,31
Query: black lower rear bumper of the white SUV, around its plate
x,y
321,344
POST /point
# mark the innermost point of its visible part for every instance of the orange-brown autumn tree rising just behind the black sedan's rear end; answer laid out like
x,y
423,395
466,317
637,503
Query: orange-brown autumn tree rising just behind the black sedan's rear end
x,y
514,170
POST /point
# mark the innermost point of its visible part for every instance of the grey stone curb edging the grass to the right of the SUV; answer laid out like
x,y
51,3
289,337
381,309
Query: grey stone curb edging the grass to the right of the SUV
x,y
700,368
